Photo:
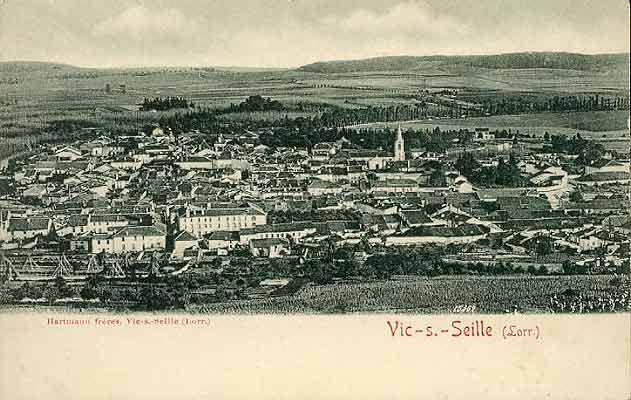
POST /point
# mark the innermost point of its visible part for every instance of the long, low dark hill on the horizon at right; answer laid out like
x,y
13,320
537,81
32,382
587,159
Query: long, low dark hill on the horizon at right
x,y
618,63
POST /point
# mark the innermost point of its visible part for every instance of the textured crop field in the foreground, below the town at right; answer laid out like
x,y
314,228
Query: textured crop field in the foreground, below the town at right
x,y
526,294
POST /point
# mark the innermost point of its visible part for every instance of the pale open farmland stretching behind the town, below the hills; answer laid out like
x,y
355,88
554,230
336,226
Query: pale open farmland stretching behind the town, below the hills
x,y
35,95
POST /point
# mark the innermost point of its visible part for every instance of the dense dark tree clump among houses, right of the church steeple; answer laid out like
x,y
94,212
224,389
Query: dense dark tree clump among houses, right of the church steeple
x,y
504,174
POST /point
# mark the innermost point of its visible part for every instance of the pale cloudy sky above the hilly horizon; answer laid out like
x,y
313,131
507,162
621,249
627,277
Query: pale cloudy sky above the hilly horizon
x,y
290,33
